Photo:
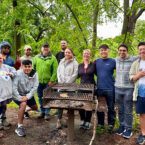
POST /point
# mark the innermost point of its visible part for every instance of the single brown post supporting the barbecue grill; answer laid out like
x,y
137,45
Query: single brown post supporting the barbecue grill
x,y
70,123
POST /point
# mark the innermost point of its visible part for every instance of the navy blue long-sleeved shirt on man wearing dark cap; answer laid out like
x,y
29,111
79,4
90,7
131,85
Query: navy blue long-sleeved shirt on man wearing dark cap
x,y
104,71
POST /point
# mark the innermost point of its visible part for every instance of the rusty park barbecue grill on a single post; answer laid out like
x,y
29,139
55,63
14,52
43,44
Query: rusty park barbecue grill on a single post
x,y
71,97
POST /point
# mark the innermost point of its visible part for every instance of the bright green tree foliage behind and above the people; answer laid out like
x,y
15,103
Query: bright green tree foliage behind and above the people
x,y
51,21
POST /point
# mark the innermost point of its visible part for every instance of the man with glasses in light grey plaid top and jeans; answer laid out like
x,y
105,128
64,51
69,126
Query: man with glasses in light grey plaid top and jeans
x,y
124,91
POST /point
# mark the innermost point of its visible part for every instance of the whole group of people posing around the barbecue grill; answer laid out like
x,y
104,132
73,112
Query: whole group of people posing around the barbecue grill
x,y
120,80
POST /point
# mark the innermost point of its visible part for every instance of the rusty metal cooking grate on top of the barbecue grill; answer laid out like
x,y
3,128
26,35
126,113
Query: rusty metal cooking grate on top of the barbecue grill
x,y
82,92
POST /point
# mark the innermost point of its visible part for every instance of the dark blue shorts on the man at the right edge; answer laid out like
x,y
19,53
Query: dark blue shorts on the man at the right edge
x,y
140,105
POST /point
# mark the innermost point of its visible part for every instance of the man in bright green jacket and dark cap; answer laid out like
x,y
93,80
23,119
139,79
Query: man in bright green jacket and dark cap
x,y
46,66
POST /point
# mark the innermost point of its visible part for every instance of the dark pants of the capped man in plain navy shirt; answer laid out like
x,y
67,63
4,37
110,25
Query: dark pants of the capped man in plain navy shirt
x,y
110,100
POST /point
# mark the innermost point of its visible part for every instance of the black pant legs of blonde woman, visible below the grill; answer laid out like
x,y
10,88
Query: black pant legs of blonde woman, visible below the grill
x,y
85,115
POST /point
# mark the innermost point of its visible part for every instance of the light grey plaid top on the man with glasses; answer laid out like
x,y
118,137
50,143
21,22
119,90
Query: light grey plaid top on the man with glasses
x,y
122,72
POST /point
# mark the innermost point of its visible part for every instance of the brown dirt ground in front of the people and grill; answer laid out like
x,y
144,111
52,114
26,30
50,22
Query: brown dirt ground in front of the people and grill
x,y
40,132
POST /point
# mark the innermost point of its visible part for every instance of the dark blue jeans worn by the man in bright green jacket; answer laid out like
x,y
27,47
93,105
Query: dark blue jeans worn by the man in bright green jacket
x,y
40,89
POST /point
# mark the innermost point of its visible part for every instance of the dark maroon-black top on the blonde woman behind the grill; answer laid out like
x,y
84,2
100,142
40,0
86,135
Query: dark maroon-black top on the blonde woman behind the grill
x,y
87,75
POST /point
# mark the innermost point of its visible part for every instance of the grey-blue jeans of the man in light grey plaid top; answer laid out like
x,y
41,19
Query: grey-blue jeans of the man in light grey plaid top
x,y
124,101
